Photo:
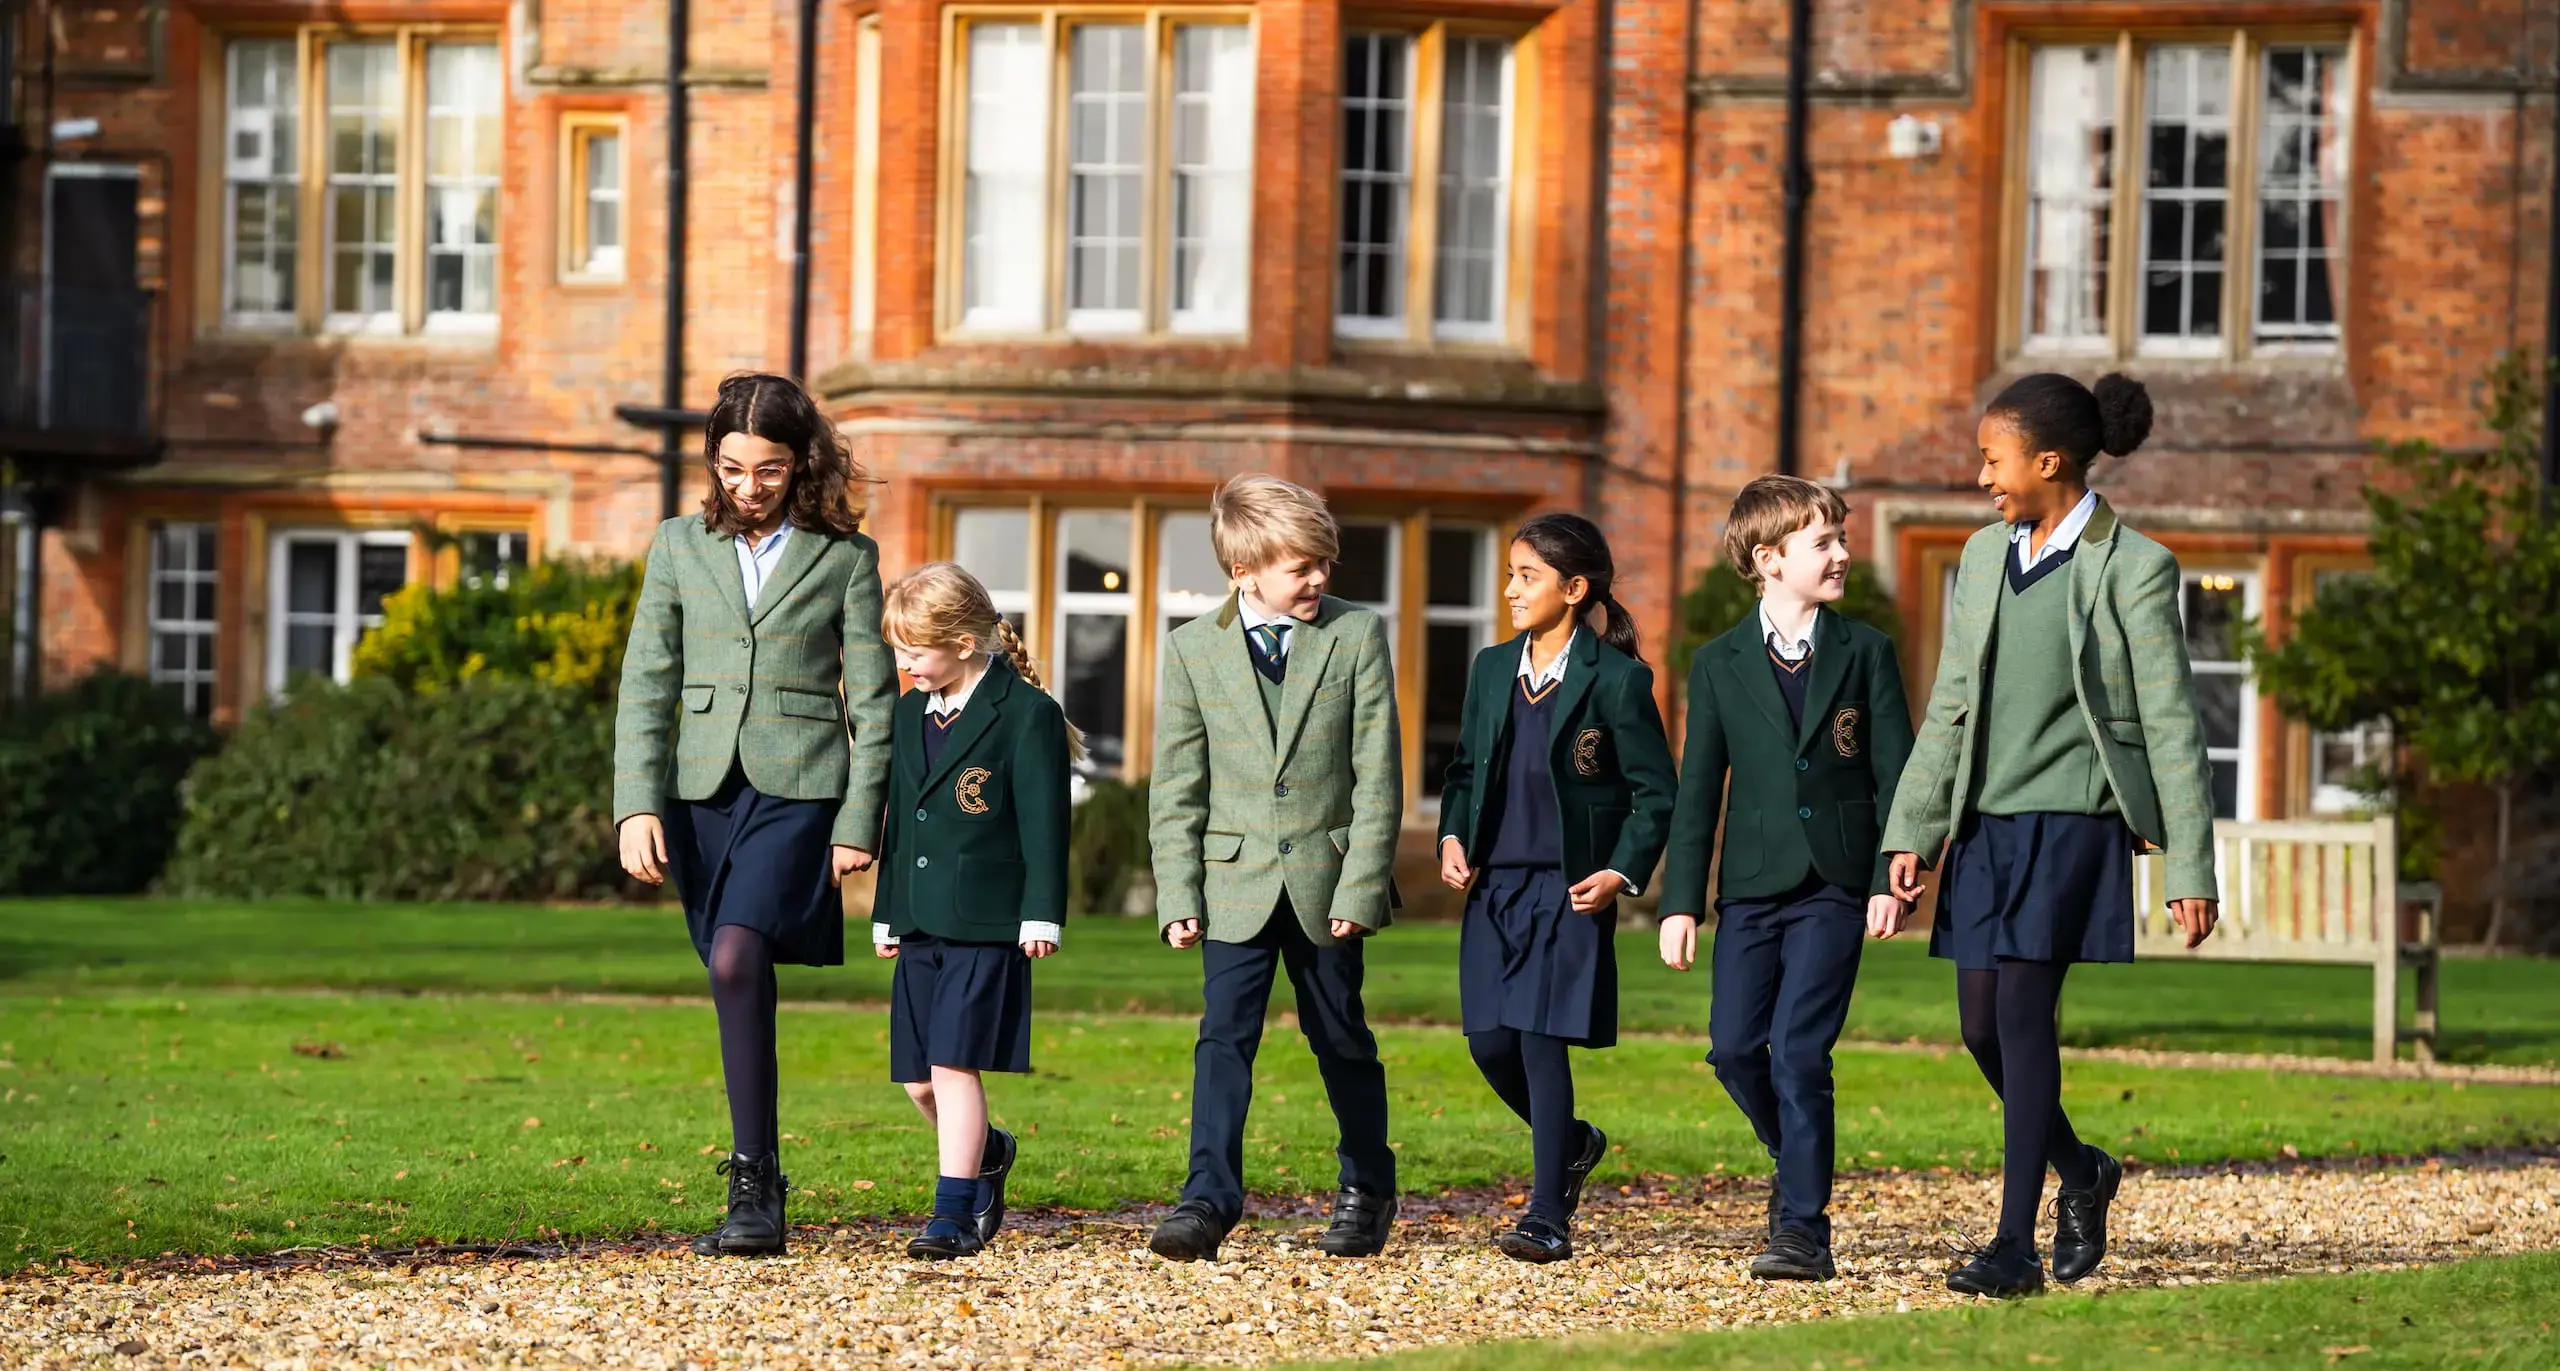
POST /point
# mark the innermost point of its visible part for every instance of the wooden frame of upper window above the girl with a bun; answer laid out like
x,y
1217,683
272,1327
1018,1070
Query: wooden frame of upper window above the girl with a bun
x,y
2124,344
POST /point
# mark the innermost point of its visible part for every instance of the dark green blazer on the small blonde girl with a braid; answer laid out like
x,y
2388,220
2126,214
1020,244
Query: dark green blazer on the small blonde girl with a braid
x,y
979,845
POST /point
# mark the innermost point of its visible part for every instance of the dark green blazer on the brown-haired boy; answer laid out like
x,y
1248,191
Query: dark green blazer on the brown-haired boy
x,y
1806,797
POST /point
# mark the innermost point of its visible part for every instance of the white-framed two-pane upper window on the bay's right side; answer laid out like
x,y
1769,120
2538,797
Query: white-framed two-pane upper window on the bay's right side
x,y
1427,111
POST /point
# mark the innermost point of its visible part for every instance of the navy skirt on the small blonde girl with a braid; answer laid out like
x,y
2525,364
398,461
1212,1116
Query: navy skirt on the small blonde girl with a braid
x,y
959,1004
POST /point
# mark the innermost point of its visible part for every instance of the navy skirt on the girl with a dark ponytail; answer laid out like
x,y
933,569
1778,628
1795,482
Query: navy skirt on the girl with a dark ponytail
x,y
1530,963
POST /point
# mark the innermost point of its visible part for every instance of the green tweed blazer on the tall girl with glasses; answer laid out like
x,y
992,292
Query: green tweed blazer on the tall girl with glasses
x,y
797,694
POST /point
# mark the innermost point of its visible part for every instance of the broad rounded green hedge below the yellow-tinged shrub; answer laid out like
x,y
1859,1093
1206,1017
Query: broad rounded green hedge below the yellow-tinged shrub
x,y
483,792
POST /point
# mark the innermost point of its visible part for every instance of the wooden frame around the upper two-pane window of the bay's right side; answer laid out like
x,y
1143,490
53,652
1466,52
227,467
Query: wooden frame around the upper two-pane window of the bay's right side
x,y
1422,331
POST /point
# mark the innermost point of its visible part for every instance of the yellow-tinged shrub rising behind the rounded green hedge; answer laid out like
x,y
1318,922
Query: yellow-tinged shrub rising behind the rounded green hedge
x,y
554,623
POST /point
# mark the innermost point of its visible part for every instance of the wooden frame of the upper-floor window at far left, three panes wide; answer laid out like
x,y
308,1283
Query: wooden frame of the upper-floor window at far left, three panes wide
x,y
314,313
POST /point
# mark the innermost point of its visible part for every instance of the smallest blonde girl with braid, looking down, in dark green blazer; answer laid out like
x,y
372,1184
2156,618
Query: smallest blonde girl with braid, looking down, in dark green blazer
x,y
974,879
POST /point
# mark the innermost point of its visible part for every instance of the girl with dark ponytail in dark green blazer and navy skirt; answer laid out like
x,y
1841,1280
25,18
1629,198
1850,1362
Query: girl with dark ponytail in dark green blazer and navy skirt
x,y
1558,802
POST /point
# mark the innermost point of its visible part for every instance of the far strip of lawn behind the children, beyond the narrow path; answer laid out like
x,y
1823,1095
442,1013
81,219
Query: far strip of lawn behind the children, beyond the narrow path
x,y
2495,1012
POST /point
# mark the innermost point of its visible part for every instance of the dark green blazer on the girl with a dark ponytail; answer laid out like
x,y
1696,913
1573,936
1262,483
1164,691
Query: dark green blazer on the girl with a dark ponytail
x,y
1606,753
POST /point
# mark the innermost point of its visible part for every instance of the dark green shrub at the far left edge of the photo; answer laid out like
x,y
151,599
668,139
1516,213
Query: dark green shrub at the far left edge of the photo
x,y
91,787
